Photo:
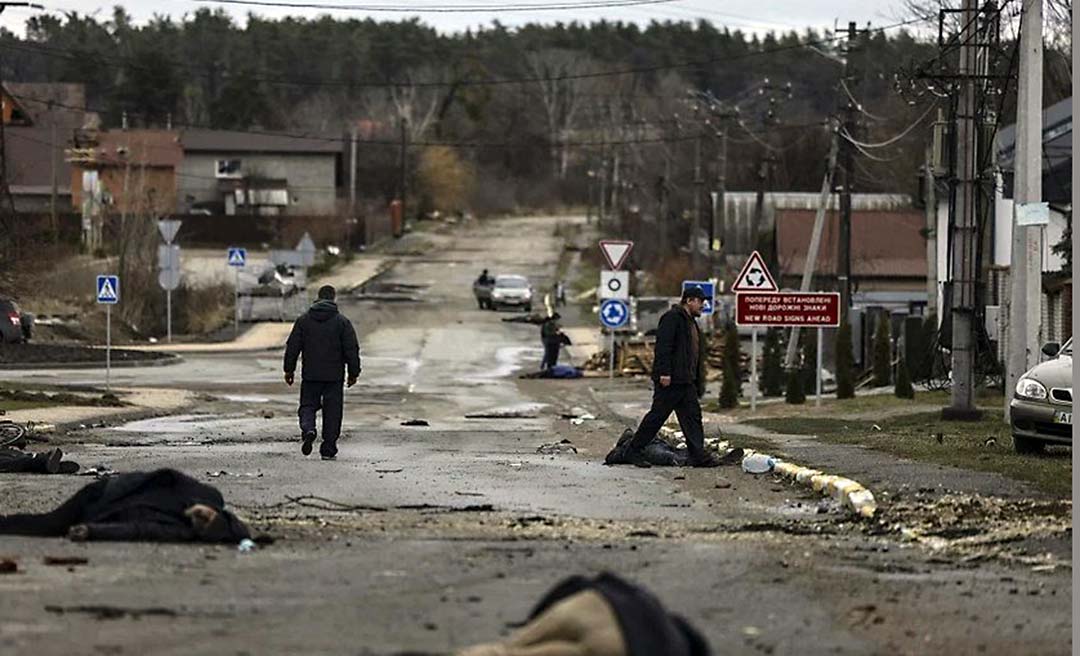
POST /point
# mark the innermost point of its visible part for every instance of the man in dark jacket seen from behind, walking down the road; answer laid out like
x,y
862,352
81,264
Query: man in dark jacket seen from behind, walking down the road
x,y
328,343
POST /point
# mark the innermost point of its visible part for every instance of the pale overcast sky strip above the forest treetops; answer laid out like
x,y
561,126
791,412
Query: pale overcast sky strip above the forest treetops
x,y
749,16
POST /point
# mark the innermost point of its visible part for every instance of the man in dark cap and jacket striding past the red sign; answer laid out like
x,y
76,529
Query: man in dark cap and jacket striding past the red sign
x,y
679,381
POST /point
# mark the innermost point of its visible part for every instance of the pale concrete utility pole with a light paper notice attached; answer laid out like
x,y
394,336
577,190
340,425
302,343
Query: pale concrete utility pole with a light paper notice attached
x,y
1025,312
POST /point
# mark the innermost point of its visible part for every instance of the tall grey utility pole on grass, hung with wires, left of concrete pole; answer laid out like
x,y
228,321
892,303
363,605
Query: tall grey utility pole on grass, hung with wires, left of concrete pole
x,y
965,230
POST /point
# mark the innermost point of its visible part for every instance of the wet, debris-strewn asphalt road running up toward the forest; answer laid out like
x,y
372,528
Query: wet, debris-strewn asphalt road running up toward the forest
x,y
760,567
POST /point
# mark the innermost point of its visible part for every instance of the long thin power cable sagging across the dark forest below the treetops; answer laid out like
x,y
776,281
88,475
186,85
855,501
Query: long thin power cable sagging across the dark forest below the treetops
x,y
62,53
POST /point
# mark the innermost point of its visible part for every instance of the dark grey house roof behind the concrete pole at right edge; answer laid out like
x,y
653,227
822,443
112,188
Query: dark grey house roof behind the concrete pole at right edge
x,y
1057,152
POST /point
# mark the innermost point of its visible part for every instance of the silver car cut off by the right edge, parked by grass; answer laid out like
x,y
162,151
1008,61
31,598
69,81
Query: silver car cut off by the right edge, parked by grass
x,y
1042,410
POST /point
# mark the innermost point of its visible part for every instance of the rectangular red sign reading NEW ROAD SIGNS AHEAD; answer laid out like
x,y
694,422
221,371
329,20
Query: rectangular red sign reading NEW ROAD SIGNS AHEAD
x,y
789,310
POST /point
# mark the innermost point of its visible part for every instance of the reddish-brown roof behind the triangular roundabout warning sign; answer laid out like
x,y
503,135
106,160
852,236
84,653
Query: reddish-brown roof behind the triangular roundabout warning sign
x,y
884,245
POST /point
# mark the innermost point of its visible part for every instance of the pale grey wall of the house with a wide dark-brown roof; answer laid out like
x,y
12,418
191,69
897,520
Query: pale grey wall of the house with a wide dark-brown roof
x,y
310,179
